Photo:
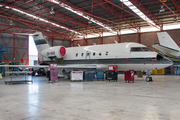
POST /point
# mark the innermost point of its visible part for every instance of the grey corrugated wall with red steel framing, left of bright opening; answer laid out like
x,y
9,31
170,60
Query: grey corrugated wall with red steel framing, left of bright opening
x,y
17,48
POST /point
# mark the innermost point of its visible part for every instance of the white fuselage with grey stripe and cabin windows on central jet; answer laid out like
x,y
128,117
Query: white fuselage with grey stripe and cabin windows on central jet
x,y
126,55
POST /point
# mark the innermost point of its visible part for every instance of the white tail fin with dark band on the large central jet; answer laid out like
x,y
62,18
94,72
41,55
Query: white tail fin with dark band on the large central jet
x,y
41,44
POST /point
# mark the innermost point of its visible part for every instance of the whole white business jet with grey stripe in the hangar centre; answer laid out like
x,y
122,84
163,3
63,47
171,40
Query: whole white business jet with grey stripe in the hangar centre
x,y
127,56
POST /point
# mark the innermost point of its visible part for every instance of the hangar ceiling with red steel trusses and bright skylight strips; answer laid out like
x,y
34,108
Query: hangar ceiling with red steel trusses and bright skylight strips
x,y
69,19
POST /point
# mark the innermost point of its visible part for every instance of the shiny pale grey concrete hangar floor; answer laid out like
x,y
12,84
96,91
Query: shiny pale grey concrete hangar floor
x,y
92,100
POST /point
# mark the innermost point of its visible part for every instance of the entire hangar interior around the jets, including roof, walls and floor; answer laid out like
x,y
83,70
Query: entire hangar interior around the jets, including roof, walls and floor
x,y
77,23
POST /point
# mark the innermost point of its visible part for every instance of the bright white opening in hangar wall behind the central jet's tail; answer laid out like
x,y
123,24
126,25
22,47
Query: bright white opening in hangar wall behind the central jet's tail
x,y
33,53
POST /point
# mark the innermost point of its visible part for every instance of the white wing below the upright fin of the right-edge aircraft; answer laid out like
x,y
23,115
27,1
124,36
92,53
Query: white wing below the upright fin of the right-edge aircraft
x,y
164,49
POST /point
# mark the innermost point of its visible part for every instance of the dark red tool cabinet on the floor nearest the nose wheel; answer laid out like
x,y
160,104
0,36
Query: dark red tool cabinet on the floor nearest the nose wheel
x,y
129,76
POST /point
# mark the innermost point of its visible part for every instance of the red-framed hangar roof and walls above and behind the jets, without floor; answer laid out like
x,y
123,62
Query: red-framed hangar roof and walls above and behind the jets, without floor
x,y
85,22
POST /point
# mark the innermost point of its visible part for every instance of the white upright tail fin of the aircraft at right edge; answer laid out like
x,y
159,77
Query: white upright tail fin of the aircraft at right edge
x,y
167,41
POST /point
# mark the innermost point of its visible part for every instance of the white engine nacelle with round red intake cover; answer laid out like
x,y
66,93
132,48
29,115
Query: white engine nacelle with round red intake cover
x,y
52,52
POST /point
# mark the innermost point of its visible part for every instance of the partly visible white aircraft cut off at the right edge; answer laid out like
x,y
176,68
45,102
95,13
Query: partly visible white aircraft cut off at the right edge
x,y
168,47
